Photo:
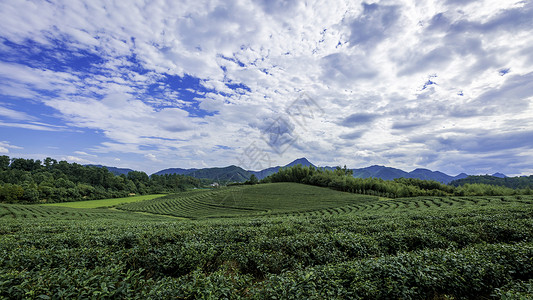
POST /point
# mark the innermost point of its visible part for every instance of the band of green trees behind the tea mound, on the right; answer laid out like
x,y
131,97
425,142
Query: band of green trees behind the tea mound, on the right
x,y
341,179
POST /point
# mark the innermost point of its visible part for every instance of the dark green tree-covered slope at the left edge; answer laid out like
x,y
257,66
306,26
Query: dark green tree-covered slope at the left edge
x,y
32,181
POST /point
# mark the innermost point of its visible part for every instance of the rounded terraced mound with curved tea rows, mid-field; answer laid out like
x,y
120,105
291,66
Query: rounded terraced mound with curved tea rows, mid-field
x,y
256,200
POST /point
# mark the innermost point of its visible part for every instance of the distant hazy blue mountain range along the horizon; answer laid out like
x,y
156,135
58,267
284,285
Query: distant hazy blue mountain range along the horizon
x,y
238,174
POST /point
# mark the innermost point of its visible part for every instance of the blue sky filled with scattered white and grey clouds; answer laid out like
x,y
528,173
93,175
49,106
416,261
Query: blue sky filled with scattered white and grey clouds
x,y
440,84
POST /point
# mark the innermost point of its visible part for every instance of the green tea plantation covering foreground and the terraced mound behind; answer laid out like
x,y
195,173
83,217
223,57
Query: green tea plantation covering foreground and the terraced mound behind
x,y
282,241
